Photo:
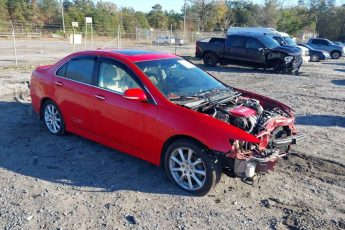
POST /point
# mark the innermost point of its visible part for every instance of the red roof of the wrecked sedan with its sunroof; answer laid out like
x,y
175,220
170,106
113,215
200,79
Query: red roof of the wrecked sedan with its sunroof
x,y
138,55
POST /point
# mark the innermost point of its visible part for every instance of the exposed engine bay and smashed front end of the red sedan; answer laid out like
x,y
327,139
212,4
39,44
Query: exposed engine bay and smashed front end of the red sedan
x,y
268,122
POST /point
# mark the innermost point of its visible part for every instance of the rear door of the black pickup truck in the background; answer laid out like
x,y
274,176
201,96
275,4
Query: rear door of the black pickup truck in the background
x,y
235,48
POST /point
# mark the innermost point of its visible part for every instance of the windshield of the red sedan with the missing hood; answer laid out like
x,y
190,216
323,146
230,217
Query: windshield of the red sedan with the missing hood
x,y
179,78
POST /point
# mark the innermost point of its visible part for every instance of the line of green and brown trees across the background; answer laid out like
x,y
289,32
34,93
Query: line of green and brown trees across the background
x,y
323,17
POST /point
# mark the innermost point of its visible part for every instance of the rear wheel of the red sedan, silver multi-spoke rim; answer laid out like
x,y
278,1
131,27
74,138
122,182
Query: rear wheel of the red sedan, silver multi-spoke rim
x,y
49,120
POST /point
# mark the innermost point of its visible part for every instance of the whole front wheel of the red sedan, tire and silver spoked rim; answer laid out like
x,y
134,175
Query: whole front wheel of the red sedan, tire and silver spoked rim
x,y
188,166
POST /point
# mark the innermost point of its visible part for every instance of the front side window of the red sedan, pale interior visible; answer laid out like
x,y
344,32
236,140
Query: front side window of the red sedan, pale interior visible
x,y
113,77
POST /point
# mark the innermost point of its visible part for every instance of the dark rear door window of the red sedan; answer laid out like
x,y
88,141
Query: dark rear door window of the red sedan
x,y
80,70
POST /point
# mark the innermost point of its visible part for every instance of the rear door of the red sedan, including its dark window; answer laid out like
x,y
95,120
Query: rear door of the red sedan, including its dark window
x,y
72,91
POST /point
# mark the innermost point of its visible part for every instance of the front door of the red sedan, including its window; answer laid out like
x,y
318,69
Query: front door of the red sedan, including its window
x,y
129,124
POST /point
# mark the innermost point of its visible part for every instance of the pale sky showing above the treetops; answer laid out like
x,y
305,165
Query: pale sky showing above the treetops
x,y
176,5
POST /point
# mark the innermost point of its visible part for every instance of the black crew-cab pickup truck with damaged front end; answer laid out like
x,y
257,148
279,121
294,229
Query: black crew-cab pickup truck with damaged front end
x,y
256,50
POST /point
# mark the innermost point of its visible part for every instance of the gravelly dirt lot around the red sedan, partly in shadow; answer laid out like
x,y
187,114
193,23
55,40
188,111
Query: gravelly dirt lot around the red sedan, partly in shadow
x,y
50,182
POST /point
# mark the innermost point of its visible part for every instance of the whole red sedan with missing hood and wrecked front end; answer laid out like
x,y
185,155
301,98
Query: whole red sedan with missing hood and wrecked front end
x,y
163,109
